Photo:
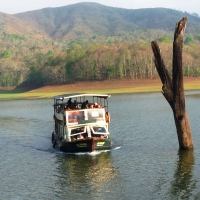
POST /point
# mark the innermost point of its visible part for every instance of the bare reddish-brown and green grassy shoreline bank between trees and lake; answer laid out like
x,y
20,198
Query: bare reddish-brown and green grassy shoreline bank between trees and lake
x,y
120,86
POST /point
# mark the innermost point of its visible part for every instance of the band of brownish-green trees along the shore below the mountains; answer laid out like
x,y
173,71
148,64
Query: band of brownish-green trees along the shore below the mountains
x,y
94,62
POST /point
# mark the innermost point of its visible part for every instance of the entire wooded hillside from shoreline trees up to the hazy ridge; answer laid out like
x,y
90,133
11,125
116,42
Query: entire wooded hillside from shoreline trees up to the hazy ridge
x,y
90,41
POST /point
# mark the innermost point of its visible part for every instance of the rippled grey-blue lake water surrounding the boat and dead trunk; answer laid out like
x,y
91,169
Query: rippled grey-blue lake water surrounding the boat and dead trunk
x,y
144,163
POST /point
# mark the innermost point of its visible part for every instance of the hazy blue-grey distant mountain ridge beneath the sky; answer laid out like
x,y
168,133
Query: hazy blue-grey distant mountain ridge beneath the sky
x,y
86,20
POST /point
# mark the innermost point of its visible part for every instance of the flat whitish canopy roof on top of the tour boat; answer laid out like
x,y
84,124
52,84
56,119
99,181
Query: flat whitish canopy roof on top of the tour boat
x,y
67,96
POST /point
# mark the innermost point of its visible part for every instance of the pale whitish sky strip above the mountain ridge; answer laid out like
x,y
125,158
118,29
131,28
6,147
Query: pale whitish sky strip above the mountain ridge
x,y
18,6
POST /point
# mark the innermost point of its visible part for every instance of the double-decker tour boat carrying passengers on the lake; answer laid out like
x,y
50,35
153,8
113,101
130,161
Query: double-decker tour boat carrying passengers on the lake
x,y
81,122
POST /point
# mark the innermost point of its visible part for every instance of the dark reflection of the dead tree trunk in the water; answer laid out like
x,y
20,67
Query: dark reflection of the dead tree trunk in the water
x,y
182,184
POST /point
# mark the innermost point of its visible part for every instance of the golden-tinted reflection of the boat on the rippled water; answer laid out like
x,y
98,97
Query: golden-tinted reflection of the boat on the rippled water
x,y
80,174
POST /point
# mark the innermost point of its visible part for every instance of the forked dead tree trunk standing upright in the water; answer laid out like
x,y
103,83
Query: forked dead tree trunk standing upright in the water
x,y
173,88
